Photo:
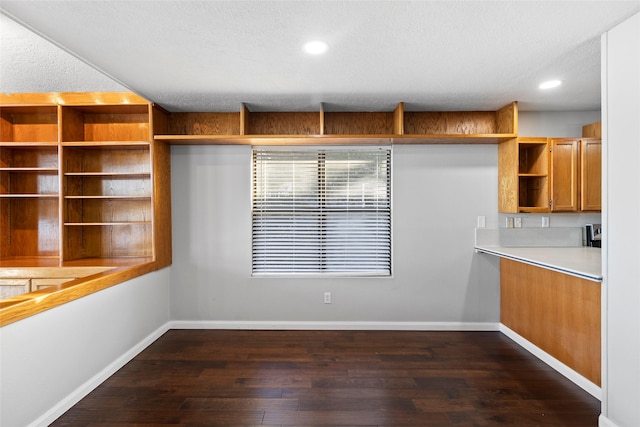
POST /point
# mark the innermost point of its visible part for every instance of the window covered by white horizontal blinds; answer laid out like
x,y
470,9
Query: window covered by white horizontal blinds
x,y
322,211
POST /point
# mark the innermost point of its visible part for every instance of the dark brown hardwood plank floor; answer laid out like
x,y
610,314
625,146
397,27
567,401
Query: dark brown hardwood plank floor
x,y
334,378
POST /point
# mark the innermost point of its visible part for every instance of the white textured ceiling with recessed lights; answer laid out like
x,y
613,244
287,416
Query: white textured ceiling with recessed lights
x,y
216,55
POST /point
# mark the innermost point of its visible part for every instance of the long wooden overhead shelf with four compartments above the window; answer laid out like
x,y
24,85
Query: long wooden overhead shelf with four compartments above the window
x,y
337,127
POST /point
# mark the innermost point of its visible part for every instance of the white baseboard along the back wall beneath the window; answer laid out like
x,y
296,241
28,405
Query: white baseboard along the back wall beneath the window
x,y
351,326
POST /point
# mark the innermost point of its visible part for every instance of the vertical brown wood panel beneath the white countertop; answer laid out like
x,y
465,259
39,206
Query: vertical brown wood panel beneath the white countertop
x,y
557,312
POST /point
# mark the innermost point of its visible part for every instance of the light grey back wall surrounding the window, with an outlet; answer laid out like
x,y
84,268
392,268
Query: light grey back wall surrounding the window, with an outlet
x,y
438,192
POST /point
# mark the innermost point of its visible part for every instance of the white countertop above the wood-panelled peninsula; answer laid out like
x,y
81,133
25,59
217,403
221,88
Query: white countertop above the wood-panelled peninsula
x,y
581,261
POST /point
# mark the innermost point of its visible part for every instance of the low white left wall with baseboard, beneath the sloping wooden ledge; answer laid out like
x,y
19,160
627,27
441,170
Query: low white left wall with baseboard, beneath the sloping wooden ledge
x,y
50,360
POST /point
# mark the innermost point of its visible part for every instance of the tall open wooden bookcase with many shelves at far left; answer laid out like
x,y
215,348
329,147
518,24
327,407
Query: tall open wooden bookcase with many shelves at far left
x,y
83,179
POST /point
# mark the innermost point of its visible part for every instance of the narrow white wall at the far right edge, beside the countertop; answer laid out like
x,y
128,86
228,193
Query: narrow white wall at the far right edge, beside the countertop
x,y
621,292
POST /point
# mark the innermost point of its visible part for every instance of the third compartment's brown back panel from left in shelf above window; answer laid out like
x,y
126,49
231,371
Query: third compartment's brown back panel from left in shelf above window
x,y
358,123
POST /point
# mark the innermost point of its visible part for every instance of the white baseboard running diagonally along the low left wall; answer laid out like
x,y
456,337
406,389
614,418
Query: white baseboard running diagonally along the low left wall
x,y
78,394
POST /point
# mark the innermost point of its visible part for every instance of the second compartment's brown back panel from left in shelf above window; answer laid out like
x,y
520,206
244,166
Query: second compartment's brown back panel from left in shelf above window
x,y
284,123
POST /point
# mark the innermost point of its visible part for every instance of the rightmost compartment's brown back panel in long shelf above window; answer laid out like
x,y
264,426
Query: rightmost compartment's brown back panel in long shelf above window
x,y
449,122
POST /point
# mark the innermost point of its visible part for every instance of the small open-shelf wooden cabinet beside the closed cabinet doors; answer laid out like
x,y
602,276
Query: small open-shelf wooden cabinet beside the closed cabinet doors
x,y
523,175
